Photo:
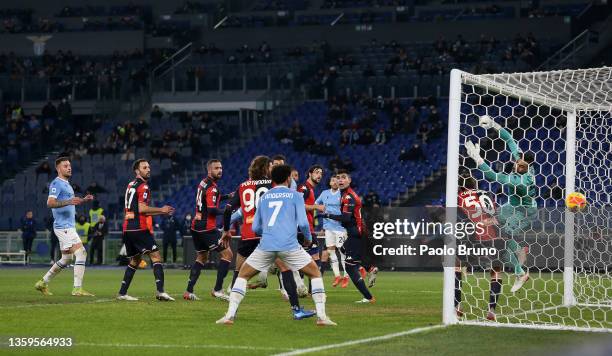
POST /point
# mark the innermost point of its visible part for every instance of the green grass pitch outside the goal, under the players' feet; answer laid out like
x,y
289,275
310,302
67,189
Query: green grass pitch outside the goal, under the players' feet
x,y
405,320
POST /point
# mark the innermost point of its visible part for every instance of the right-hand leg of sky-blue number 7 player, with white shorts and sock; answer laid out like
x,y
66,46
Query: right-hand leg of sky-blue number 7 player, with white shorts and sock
x,y
299,259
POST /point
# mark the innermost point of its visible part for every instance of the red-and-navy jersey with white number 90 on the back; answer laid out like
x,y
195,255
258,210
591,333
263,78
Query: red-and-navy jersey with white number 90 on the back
x,y
247,199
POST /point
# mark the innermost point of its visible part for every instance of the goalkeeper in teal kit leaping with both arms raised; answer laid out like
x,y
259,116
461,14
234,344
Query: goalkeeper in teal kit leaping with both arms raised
x,y
517,214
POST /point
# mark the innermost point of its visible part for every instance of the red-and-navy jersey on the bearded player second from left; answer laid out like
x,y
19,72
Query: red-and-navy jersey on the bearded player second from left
x,y
136,192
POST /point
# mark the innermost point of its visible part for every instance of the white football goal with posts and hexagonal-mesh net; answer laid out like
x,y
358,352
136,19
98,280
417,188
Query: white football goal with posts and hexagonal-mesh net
x,y
526,140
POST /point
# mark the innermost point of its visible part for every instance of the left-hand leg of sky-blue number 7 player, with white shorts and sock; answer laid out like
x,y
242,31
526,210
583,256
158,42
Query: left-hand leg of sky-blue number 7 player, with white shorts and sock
x,y
258,261
